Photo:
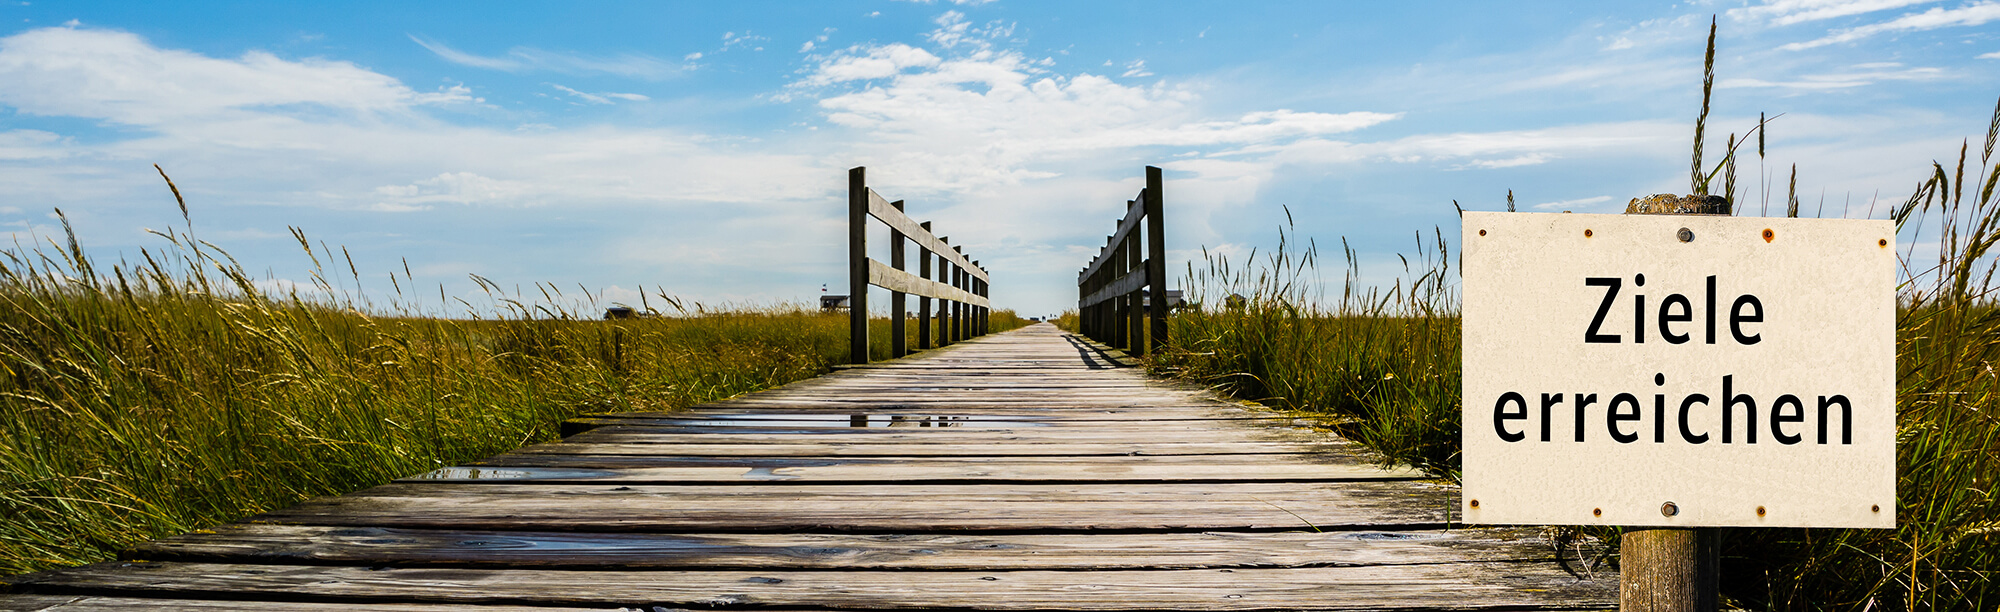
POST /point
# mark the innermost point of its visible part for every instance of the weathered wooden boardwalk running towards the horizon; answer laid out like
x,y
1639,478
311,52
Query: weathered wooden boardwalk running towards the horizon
x,y
1023,471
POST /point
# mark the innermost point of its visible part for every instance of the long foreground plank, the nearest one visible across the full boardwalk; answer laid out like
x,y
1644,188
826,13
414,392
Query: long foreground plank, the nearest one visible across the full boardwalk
x,y
1429,587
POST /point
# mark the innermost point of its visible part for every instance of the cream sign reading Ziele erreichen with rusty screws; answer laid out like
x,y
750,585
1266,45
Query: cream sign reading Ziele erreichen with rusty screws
x,y
1679,371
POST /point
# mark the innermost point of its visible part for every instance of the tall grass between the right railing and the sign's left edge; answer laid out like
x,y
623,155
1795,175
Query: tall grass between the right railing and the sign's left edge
x,y
1381,365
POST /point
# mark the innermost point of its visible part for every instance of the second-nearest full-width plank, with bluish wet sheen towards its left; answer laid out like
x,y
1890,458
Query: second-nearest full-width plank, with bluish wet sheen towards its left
x,y
403,547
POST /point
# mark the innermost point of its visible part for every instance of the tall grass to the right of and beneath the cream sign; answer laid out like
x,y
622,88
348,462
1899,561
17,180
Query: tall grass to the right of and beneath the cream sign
x,y
1945,553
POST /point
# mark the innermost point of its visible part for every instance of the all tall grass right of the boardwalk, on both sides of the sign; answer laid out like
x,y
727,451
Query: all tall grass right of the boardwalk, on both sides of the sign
x,y
1383,369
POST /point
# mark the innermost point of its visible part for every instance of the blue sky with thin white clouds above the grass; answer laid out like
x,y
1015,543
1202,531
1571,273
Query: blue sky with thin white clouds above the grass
x,y
701,149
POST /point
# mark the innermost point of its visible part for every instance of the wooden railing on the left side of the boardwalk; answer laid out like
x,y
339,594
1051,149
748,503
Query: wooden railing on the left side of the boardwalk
x,y
943,275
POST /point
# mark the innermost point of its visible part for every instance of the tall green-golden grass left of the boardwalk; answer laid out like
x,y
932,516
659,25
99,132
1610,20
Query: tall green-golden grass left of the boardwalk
x,y
173,393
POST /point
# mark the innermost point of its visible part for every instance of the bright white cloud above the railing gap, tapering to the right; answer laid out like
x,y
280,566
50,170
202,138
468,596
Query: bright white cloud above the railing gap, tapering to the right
x,y
987,117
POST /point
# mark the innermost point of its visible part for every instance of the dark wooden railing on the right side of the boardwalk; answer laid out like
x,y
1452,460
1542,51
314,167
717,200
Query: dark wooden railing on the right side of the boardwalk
x,y
1115,287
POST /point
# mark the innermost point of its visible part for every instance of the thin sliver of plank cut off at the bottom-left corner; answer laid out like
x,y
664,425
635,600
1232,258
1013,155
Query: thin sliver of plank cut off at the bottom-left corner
x,y
169,605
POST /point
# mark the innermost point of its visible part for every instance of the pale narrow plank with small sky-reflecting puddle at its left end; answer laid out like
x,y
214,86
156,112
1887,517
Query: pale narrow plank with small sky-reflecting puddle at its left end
x,y
933,473
